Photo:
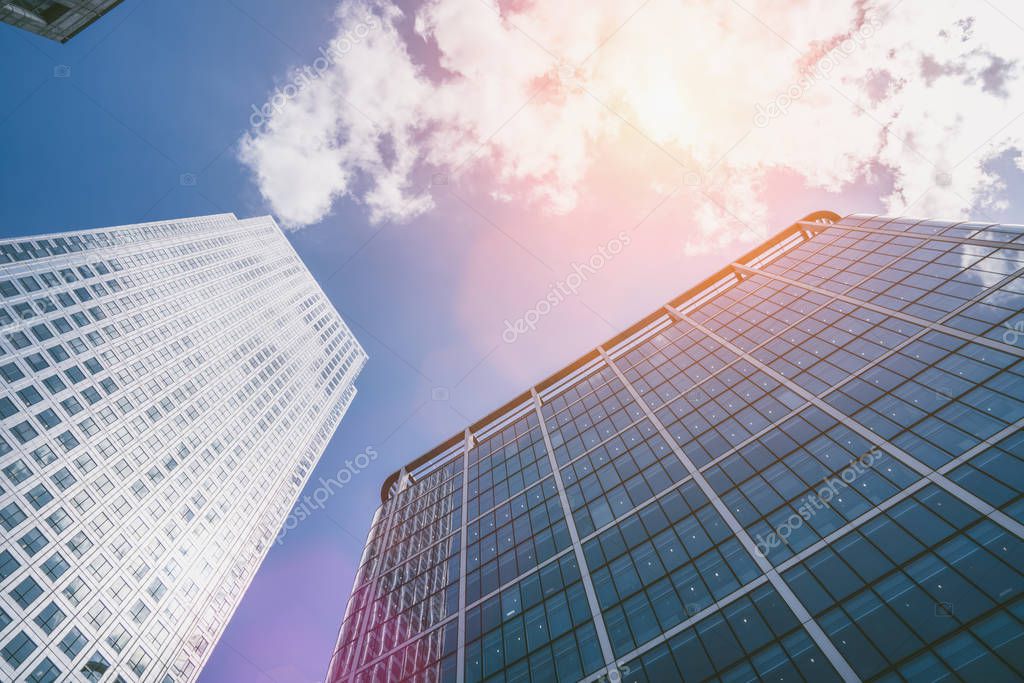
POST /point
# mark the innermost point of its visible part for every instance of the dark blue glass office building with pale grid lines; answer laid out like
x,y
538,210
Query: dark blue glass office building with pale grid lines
x,y
807,467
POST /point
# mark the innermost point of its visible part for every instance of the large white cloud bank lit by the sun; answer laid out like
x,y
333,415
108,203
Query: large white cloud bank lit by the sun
x,y
927,91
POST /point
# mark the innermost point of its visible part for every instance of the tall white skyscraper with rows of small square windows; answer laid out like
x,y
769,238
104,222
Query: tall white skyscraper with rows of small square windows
x,y
167,390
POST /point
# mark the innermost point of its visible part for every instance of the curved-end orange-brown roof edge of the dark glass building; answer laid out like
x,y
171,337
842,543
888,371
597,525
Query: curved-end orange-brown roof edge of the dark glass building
x,y
692,293
